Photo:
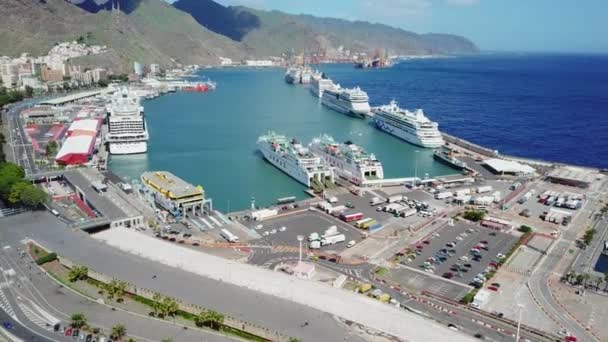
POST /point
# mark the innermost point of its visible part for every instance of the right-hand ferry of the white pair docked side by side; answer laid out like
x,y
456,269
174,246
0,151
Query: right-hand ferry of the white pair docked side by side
x,y
349,161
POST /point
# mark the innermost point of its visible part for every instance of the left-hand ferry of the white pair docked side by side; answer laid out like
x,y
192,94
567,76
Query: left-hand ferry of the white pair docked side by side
x,y
294,159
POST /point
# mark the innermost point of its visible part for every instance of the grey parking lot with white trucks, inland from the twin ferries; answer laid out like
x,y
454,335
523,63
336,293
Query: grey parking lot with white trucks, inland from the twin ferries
x,y
305,223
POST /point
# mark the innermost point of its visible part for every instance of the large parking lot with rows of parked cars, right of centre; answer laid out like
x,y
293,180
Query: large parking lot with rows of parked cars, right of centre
x,y
457,261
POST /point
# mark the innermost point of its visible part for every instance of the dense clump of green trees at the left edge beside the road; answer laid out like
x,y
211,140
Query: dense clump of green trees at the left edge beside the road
x,y
15,190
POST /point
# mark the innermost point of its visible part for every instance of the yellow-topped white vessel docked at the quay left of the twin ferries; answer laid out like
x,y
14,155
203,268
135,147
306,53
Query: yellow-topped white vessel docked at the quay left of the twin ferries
x,y
174,194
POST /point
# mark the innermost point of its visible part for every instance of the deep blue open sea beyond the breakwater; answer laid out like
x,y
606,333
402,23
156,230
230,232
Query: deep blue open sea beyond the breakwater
x,y
551,107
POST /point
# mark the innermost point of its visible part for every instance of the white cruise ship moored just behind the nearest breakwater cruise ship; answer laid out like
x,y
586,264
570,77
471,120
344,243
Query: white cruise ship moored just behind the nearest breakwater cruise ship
x,y
354,102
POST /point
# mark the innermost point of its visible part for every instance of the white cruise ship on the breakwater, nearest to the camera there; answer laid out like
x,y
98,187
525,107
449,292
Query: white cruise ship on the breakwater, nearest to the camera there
x,y
413,127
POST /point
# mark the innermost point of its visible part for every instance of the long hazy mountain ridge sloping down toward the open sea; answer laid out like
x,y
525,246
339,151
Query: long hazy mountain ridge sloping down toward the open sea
x,y
308,33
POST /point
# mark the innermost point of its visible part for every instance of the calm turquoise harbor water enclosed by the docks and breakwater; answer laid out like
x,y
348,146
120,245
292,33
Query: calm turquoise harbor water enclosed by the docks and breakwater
x,y
210,138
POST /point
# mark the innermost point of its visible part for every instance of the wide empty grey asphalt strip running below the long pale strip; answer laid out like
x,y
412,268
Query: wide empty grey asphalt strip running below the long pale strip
x,y
268,311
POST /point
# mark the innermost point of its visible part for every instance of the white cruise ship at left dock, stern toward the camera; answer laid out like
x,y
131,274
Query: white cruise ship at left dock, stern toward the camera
x,y
127,129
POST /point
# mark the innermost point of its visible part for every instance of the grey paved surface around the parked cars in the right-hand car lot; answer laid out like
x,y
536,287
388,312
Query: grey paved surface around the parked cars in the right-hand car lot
x,y
471,236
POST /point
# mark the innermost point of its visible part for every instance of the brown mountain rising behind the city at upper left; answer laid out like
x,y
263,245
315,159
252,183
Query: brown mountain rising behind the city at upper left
x,y
152,32
